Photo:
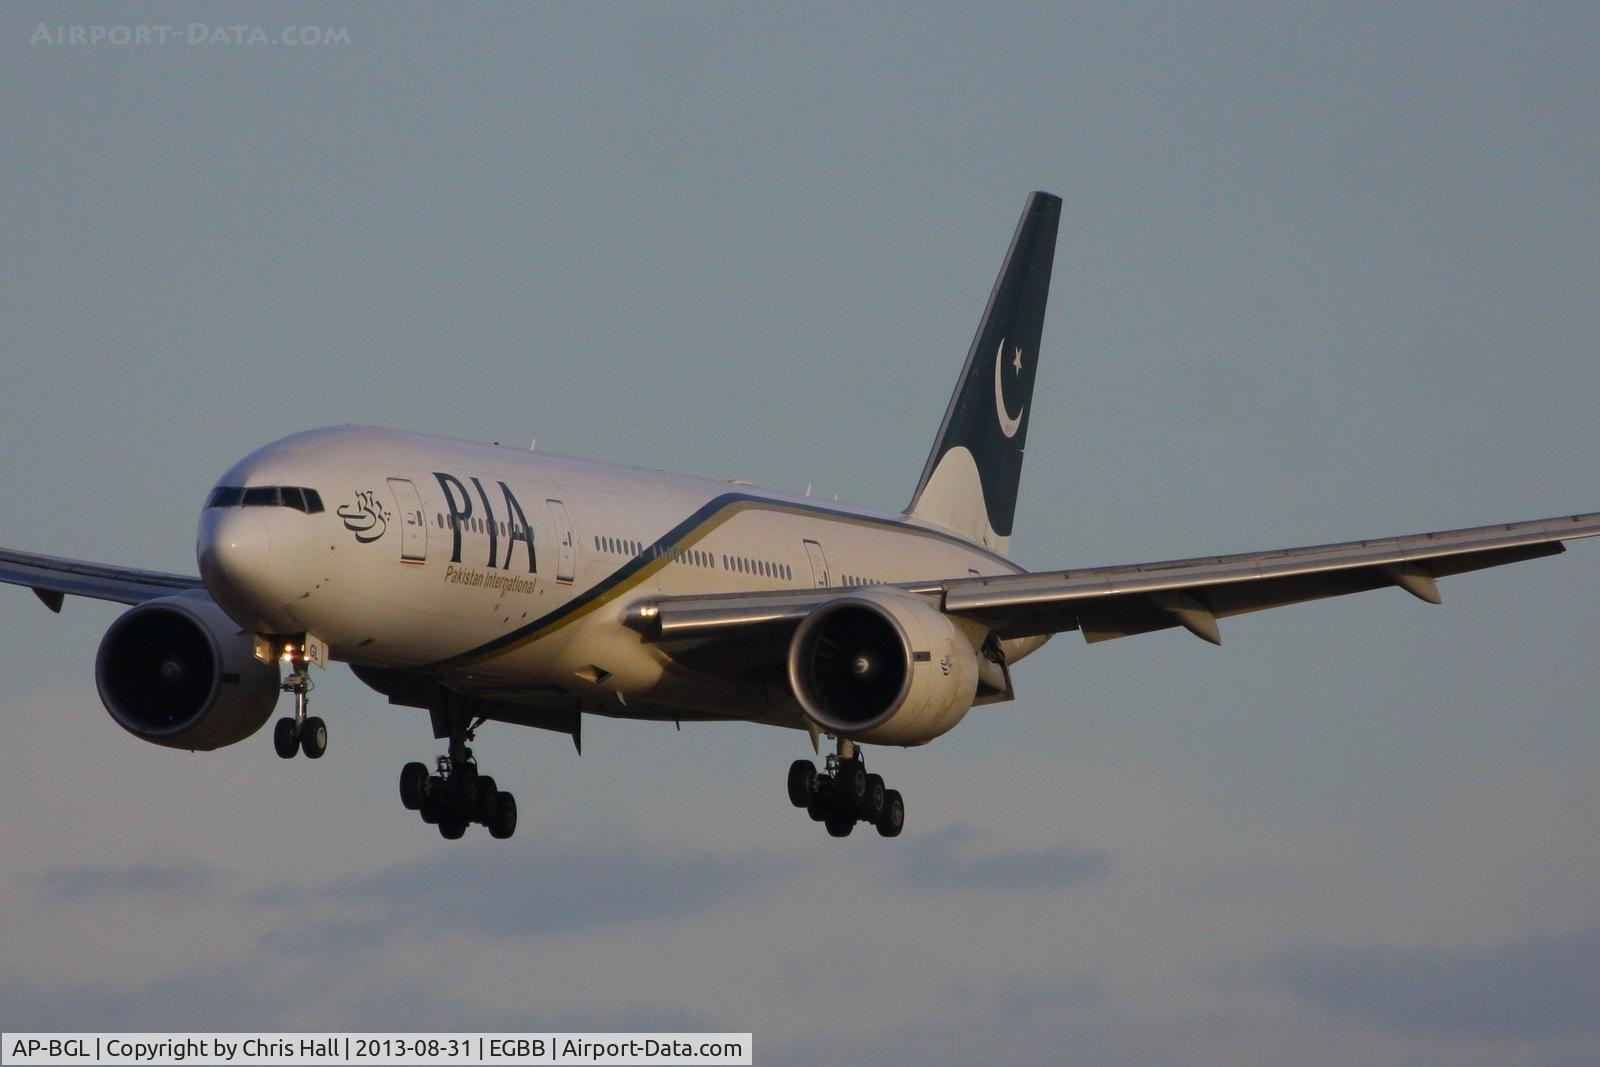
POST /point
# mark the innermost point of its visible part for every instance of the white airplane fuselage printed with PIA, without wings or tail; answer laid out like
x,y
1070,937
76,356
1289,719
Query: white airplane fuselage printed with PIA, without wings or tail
x,y
510,572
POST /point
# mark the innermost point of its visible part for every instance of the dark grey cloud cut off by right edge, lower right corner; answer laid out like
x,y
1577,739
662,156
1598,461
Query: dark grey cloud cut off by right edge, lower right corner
x,y
1543,988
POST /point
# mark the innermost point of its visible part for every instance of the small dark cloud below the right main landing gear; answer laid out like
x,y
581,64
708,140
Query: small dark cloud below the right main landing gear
x,y
934,863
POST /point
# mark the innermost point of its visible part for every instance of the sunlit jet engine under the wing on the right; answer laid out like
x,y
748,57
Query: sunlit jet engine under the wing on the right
x,y
882,666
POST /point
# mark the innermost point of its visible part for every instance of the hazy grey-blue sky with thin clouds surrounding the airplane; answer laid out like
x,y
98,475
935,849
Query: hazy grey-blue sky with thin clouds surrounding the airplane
x,y
1324,273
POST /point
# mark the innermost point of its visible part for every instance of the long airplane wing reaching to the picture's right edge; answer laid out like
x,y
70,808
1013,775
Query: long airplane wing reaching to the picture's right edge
x,y
1124,601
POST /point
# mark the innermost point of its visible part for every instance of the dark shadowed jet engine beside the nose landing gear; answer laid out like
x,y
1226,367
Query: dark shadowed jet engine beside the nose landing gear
x,y
182,674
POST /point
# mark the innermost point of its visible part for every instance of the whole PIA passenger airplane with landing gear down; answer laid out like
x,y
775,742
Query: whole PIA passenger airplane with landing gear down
x,y
498,585
